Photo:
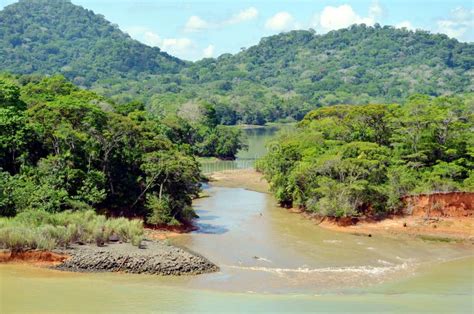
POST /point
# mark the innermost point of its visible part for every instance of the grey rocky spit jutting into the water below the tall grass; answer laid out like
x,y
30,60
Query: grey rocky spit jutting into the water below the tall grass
x,y
155,258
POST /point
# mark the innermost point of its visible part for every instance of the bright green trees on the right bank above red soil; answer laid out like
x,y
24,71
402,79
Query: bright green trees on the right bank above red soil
x,y
359,160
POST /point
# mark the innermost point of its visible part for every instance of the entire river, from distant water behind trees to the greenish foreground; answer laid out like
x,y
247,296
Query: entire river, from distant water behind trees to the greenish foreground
x,y
270,261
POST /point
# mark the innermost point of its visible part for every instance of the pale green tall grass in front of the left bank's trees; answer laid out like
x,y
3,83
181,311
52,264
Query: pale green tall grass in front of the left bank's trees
x,y
47,231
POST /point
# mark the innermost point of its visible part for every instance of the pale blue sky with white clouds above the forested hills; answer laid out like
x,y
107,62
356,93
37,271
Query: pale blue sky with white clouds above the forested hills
x,y
193,30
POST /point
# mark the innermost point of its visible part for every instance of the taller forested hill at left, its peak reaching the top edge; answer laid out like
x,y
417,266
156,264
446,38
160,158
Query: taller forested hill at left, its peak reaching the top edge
x,y
56,36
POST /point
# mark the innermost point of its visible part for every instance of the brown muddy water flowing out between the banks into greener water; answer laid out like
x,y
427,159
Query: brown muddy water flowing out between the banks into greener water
x,y
263,248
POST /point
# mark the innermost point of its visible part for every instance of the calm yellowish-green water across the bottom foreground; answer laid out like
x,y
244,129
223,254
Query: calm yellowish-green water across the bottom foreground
x,y
446,288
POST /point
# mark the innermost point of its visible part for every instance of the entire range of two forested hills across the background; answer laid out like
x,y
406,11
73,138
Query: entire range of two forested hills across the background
x,y
284,76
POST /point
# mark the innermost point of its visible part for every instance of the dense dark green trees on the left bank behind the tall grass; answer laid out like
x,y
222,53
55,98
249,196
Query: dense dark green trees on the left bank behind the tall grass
x,y
63,148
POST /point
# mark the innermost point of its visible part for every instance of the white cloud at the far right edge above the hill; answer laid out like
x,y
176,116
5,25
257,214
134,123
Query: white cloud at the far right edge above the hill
x,y
459,24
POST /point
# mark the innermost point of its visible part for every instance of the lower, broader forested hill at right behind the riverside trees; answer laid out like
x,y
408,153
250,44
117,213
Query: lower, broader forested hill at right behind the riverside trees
x,y
300,69
